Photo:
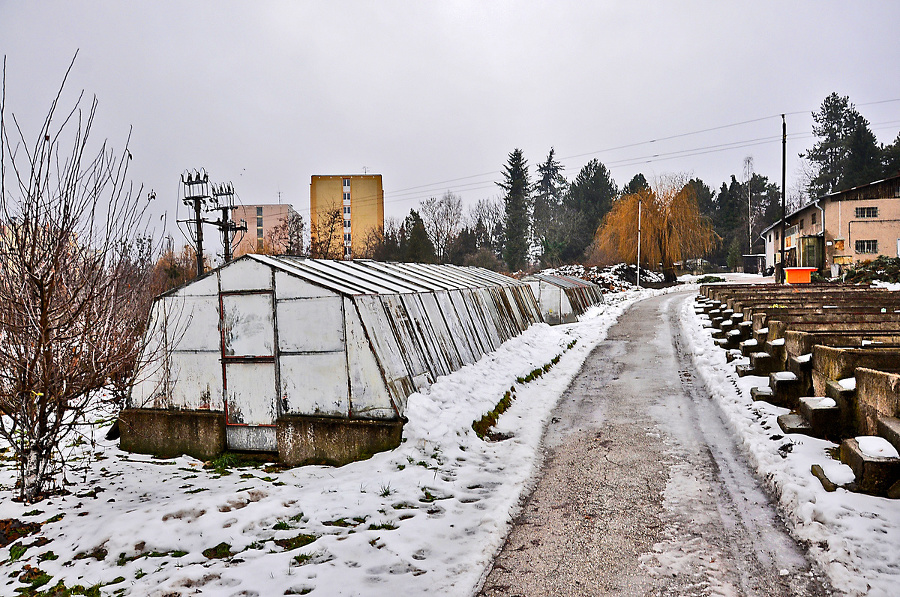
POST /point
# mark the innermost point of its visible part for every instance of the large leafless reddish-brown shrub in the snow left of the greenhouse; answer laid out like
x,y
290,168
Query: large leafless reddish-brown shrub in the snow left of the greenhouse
x,y
72,283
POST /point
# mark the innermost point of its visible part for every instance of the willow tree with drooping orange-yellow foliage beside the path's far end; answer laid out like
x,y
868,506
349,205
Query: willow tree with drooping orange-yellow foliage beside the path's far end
x,y
672,227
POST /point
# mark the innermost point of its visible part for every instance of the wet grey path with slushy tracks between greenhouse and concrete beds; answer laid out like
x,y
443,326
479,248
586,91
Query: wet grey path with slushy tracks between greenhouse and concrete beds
x,y
644,490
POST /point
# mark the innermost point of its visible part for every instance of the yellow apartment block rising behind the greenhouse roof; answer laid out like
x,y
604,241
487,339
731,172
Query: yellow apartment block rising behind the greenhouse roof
x,y
347,208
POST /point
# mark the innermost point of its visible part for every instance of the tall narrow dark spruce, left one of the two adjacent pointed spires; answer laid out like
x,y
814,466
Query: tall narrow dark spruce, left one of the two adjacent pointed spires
x,y
517,185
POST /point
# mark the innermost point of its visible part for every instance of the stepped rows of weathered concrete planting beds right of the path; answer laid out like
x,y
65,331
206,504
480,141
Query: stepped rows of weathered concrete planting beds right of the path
x,y
831,354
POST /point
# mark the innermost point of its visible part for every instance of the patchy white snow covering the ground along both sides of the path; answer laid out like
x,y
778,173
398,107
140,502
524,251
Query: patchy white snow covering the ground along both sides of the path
x,y
426,518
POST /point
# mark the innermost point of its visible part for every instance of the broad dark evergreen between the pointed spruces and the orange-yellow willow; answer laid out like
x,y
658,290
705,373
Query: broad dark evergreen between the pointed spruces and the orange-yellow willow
x,y
591,196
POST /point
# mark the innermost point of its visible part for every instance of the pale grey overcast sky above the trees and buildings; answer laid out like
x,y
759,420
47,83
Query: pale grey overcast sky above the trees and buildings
x,y
434,95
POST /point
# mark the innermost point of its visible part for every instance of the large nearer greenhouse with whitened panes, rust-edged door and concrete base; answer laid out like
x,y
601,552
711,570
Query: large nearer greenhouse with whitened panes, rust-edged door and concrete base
x,y
311,359
